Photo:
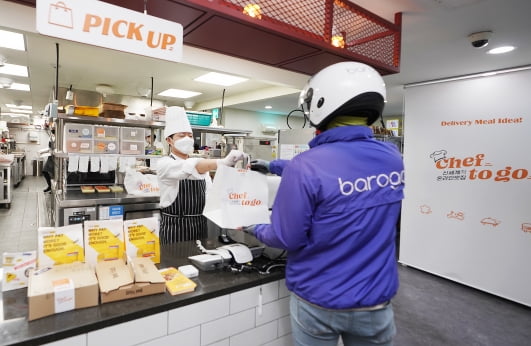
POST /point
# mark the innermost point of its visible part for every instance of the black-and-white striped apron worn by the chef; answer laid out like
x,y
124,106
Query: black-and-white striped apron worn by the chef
x,y
183,220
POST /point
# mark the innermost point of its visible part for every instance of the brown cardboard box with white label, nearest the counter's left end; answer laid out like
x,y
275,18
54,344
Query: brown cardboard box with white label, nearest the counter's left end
x,y
61,288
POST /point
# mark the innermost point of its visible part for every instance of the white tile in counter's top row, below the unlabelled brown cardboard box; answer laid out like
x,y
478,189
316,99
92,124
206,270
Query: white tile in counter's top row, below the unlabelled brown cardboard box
x,y
132,332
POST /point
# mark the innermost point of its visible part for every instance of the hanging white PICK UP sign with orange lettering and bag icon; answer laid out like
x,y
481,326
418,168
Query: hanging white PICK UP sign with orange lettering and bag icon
x,y
105,25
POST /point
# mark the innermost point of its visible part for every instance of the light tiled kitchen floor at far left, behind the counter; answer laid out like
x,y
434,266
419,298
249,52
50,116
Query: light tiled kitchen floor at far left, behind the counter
x,y
19,223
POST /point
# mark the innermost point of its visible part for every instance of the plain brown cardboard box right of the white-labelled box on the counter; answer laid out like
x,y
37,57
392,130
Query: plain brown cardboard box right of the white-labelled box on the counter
x,y
119,281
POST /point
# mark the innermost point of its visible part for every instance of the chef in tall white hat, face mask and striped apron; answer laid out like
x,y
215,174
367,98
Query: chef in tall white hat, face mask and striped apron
x,y
183,181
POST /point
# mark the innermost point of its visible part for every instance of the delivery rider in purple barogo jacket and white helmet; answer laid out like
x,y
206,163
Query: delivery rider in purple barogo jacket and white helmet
x,y
336,212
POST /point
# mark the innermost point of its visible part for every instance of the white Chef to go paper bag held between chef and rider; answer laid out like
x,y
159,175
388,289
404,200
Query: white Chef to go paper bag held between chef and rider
x,y
238,197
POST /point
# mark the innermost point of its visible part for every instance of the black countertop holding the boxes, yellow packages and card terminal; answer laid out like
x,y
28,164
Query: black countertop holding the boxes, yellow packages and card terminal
x,y
15,328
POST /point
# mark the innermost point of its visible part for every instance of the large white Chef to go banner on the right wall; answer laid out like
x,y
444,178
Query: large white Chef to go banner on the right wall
x,y
467,211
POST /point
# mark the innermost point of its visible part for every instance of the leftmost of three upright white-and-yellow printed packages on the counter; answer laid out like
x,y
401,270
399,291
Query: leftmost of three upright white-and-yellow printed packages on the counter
x,y
59,245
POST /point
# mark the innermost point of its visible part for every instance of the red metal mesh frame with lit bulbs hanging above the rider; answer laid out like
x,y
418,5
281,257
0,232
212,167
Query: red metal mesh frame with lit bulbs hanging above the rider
x,y
363,35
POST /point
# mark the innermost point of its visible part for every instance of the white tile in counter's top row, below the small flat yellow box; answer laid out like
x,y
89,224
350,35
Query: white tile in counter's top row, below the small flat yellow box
x,y
193,315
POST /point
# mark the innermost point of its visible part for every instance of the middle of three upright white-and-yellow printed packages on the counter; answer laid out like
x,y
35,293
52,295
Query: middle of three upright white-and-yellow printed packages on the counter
x,y
104,240
